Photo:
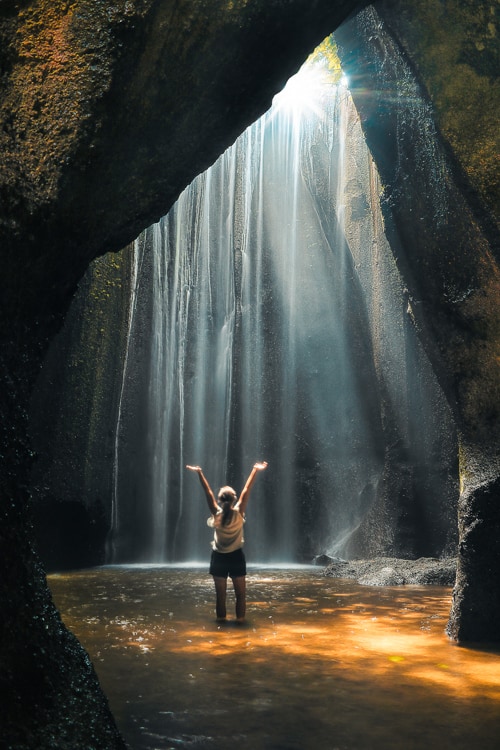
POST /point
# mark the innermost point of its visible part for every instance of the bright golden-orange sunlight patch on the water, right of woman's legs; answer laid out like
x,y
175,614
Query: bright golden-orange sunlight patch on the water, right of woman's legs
x,y
354,641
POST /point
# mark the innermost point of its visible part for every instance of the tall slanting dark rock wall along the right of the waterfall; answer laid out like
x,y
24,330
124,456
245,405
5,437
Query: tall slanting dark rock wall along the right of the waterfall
x,y
446,242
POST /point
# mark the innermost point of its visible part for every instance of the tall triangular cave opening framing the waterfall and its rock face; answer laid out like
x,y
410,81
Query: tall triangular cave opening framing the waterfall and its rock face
x,y
264,316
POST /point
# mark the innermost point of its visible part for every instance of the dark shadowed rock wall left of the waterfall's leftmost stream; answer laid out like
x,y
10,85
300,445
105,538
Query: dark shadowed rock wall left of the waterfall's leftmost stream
x,y
73,411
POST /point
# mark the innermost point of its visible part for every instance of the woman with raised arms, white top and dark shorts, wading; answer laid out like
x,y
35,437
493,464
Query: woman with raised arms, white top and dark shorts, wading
x,y
227,519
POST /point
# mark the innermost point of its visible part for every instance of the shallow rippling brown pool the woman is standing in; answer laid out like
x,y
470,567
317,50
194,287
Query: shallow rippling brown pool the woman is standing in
x,y
322,663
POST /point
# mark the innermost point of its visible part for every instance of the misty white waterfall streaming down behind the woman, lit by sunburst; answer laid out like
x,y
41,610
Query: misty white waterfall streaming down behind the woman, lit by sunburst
x,y
263,336
